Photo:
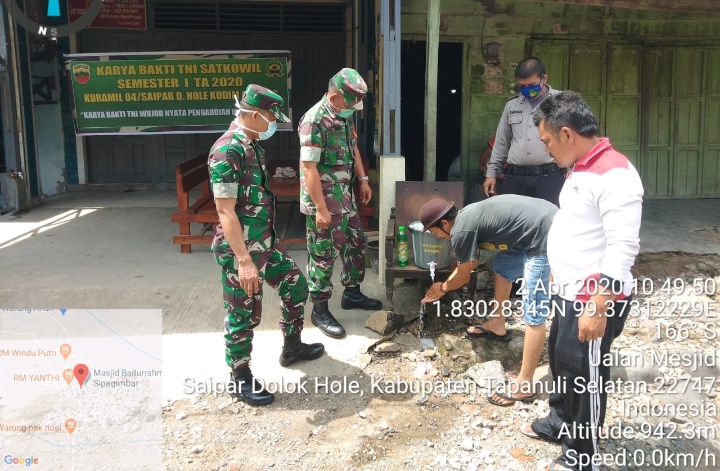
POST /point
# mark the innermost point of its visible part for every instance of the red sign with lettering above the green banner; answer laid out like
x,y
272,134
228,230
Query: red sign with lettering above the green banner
x,y
116,14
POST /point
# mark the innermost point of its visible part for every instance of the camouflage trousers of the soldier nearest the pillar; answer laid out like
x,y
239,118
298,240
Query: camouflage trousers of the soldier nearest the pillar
x,y
345,237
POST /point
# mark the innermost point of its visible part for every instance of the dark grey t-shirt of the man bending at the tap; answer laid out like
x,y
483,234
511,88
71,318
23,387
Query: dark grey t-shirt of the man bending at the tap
x,y
501,223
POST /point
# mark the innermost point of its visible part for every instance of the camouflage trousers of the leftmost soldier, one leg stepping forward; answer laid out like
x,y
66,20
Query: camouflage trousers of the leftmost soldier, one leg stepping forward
x,y
276,269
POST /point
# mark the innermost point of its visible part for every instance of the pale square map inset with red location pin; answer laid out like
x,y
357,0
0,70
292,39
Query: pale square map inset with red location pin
x,y
80,389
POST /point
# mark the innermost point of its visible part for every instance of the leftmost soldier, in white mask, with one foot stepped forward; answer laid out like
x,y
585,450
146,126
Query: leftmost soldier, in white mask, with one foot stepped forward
x,y
245,243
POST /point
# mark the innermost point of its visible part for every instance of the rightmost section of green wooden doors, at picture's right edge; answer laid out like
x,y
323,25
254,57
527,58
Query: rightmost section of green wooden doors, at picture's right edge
x,y
681,122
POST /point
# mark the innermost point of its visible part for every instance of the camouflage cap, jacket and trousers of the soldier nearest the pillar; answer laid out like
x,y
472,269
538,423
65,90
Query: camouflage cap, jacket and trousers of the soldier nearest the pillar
x,y
330,140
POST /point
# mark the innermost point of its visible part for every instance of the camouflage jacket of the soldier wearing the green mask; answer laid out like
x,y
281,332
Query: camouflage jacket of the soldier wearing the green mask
x,y
329,141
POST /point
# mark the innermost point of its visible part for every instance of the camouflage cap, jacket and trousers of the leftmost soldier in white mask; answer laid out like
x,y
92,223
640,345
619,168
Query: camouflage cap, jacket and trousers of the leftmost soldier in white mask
x,y
237,170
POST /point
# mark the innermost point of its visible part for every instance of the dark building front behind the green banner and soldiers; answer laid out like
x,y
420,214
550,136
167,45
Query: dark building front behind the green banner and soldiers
x,y
322,36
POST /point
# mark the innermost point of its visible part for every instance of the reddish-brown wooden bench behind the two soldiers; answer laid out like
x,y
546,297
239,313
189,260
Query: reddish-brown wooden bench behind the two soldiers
x,y
193,173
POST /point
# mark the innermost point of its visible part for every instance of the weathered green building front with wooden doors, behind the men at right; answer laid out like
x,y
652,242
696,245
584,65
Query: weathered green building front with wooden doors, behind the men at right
x,y
650,69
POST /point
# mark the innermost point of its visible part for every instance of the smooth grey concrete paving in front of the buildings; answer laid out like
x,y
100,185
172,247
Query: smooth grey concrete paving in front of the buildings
x,y
101,249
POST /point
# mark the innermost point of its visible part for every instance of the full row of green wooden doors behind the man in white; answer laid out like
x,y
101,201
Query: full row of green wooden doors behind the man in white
x,y
659,105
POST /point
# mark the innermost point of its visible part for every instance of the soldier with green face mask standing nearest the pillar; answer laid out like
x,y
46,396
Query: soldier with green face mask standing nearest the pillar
x,y
330,162
